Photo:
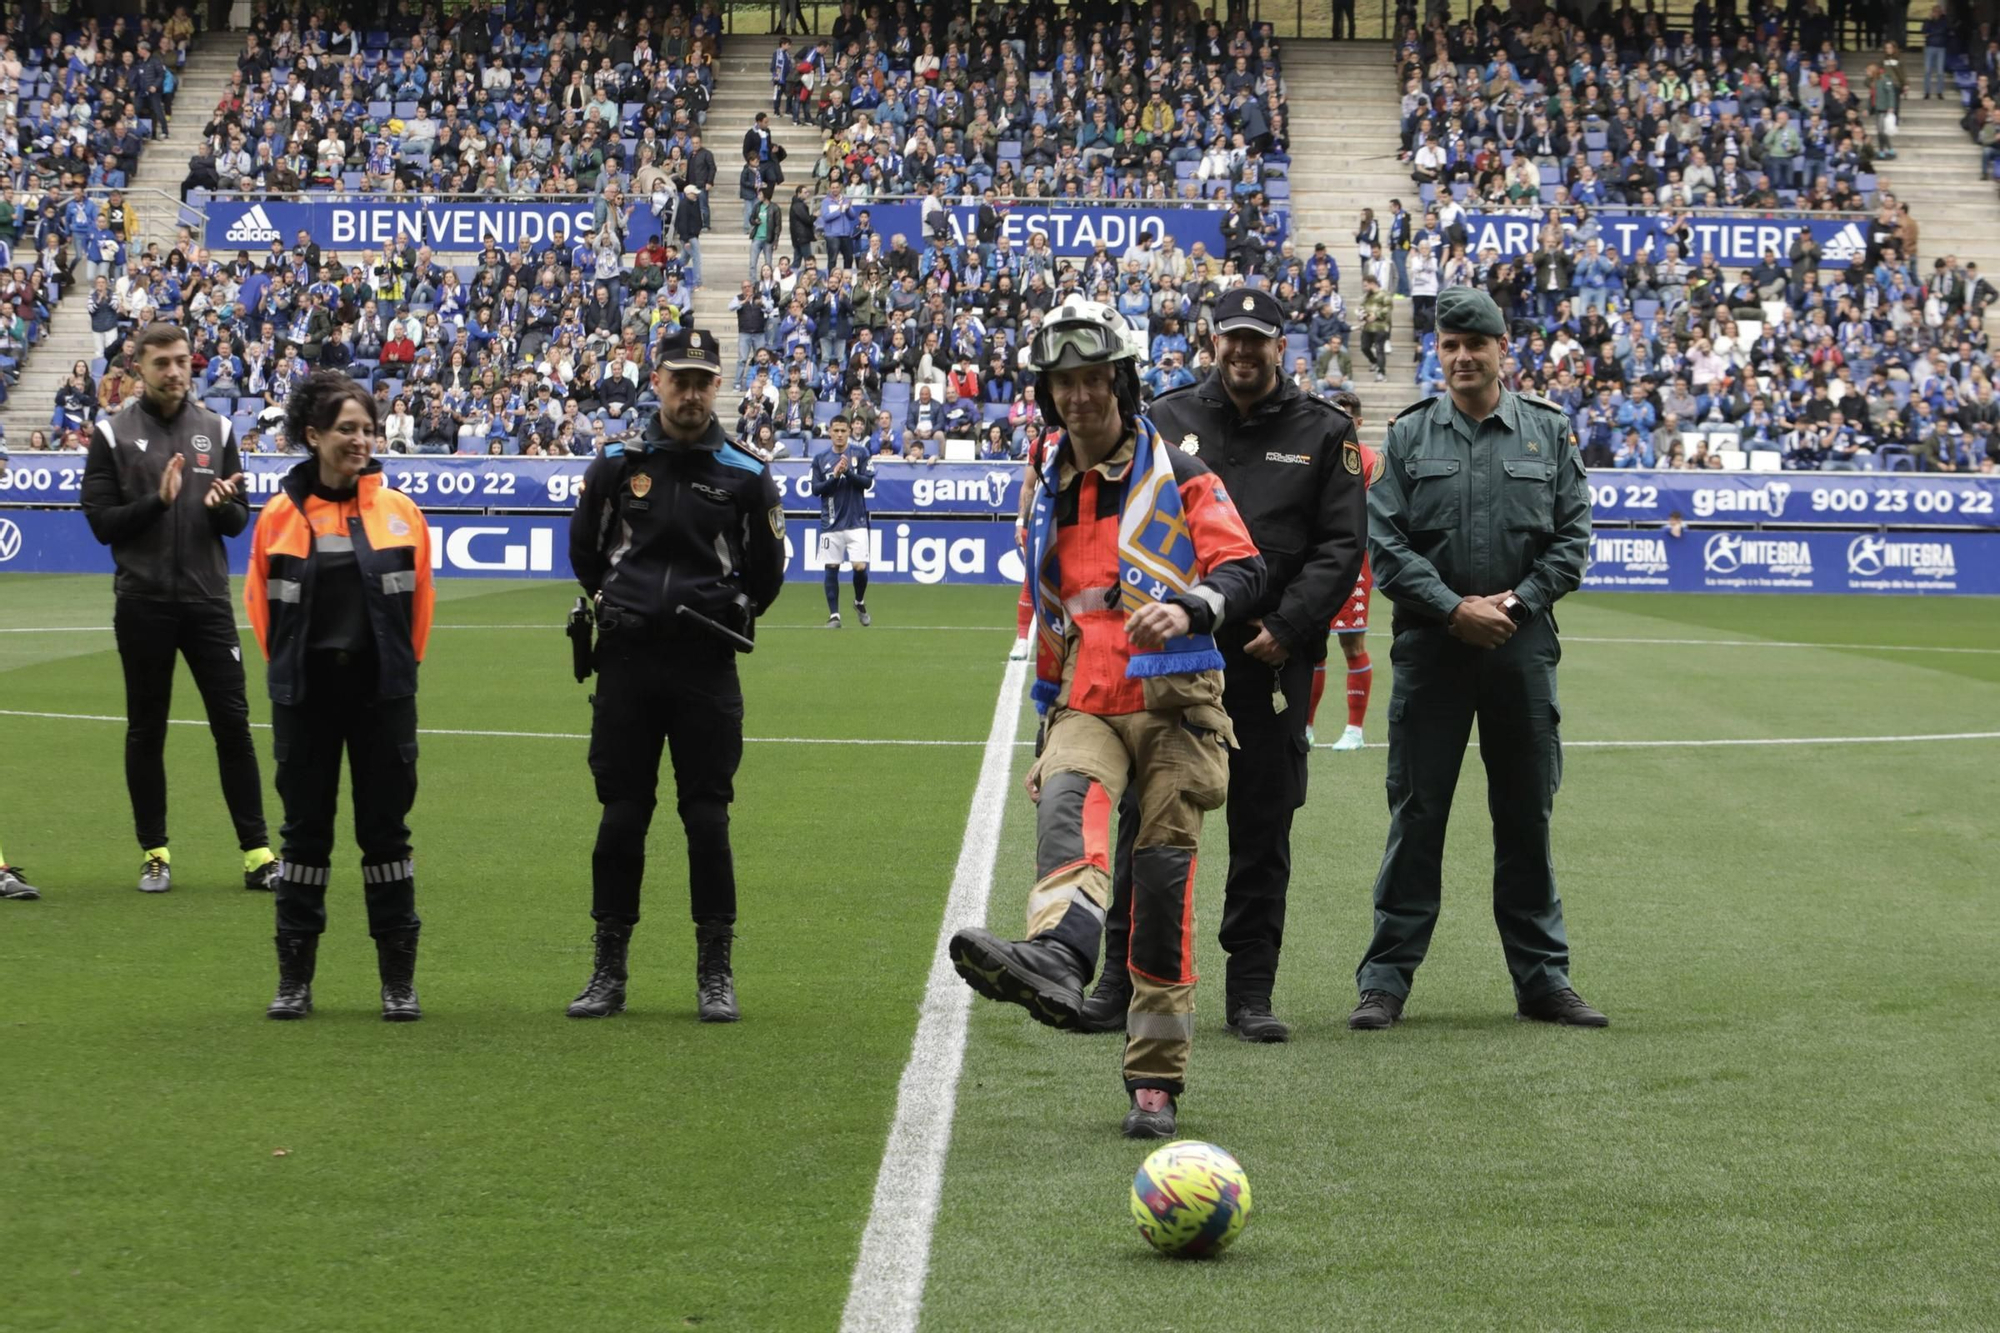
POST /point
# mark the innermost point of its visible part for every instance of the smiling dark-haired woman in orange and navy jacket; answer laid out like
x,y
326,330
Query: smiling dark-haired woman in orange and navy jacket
x,y
341,597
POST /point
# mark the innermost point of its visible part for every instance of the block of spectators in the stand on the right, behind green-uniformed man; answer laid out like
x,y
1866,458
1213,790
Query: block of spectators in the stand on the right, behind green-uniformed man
x,y
1873,357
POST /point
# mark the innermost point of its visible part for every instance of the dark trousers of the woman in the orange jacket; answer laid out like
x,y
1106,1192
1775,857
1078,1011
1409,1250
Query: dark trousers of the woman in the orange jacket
x,y
379,738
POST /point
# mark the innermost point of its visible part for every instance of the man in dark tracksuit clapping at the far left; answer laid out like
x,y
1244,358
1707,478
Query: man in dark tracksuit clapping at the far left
x,y
163,487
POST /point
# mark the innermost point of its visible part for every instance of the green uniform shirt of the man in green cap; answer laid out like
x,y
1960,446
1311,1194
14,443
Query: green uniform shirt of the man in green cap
x,y
1469,509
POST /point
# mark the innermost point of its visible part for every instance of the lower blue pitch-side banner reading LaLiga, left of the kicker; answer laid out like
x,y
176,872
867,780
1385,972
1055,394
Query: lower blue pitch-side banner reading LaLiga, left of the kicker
x,y
539,547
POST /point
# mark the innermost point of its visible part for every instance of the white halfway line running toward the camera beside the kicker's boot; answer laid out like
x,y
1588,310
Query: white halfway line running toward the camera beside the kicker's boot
x,y
887,1290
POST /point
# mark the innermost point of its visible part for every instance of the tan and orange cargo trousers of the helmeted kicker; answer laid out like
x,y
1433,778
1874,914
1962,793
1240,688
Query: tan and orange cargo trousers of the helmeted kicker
x,y
1175,762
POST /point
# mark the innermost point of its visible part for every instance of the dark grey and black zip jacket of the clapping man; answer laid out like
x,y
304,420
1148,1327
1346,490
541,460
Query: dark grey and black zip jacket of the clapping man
x,y
163,553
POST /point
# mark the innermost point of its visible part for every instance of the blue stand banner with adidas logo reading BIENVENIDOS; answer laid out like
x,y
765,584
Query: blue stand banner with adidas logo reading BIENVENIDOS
x,y
367,223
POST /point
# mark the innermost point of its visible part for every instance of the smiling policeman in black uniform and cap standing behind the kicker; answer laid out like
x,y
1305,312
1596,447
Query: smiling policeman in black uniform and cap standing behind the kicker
x,y
1293,465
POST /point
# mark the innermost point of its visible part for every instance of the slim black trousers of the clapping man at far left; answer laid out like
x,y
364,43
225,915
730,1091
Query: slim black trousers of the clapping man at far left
x,y
151,637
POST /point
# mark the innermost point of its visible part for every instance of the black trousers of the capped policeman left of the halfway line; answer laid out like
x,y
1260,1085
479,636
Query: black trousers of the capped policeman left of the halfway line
x,y
677,696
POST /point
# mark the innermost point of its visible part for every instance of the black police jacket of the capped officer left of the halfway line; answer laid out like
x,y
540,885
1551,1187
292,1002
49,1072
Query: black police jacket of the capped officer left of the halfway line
x,y
665,525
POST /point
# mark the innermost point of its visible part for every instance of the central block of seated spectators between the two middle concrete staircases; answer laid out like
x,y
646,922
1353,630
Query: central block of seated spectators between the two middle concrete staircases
x,y
919,337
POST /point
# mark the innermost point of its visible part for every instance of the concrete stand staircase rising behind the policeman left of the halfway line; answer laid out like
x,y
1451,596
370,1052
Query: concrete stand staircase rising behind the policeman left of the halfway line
x,y
743,91
